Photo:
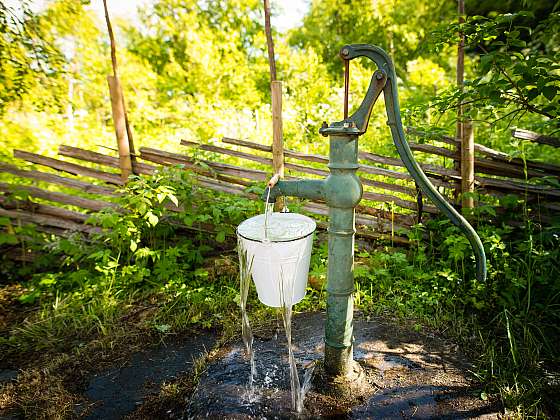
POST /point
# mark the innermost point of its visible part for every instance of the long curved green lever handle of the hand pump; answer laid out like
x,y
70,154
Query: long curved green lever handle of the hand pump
x,y
361,118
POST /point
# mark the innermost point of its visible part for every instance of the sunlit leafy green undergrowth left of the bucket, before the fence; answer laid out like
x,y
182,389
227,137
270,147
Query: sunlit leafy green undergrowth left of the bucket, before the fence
x,y
155,246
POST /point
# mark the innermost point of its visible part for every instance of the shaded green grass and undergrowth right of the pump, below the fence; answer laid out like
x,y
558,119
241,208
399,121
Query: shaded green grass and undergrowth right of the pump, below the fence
x,y
512,318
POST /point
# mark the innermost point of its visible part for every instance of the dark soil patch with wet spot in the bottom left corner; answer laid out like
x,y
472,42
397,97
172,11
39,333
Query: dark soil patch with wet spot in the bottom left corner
x,y
104,383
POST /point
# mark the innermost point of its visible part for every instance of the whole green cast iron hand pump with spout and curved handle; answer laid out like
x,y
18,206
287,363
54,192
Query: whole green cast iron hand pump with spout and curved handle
x,y
342,191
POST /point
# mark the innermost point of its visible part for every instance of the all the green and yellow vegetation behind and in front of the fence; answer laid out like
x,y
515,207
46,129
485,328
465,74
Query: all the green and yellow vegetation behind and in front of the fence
x,y
198,70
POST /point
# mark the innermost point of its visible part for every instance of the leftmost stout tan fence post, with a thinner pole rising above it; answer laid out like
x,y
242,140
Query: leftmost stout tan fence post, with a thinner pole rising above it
x,y
115,91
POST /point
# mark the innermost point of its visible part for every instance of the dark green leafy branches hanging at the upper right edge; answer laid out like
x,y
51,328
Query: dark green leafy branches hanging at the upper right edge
x,y
517,72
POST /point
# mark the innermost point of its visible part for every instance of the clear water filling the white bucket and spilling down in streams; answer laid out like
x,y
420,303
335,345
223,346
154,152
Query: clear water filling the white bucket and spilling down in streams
x,y
267,230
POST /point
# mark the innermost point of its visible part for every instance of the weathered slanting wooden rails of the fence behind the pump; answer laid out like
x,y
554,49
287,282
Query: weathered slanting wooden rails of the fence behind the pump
x,y
391,202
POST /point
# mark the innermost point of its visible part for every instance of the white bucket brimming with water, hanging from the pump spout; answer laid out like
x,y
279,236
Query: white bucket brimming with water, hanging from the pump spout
x,y
280,259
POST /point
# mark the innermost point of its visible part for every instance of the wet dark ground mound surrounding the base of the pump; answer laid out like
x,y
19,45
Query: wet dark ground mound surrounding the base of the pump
x,y
411,376
